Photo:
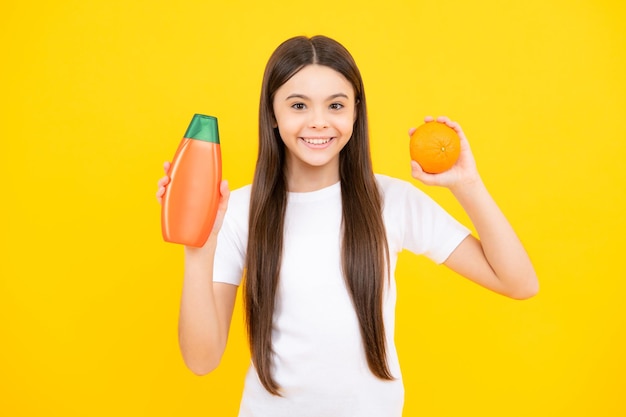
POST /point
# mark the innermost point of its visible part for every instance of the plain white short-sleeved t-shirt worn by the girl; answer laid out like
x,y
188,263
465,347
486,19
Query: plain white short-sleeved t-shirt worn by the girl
x,y
319,360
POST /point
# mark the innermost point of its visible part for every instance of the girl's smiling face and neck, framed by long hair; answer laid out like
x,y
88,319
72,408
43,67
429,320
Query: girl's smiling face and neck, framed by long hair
x,y
315,112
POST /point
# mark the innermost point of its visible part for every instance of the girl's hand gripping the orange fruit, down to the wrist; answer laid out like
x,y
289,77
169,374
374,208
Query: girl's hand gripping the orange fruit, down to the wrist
x,y
462,172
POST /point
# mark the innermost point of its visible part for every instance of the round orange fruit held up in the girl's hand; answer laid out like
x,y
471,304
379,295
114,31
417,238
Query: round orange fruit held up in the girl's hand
x,y
435,147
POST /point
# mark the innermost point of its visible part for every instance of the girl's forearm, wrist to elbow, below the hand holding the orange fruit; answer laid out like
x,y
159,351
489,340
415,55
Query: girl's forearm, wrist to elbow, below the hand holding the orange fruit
x,y
501,246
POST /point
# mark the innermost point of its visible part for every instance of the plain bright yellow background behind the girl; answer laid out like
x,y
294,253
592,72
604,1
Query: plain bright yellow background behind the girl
x,y
97,94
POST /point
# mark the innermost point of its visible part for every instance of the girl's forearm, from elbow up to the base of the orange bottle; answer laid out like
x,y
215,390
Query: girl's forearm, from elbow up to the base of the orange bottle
x,y
202,338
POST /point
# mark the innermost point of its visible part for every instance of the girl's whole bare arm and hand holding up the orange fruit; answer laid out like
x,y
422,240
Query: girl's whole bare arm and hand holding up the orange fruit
x,y
497,260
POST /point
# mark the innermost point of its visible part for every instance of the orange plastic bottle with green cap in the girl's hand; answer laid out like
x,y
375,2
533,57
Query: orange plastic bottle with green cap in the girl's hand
x,y
190,201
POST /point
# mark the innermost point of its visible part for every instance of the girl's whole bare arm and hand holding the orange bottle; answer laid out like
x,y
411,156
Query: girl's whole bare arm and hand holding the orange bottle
x,y
206,308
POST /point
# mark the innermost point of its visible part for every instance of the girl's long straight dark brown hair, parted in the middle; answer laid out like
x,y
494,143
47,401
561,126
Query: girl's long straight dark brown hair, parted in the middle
x,y
364,243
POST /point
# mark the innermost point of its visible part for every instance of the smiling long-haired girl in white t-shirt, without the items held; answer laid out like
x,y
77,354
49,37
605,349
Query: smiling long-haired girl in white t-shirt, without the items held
x,y
316,237
